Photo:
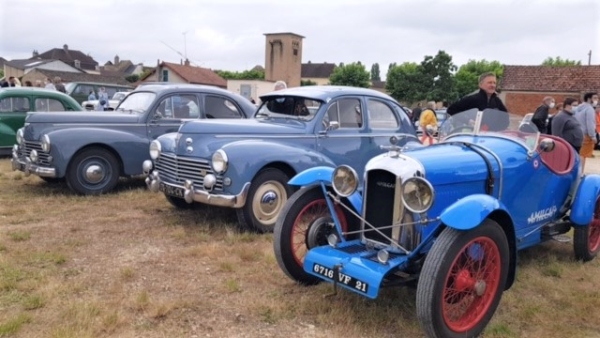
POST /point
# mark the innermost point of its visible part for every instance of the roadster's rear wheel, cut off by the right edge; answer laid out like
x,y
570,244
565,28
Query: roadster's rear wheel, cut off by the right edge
x,y
586,239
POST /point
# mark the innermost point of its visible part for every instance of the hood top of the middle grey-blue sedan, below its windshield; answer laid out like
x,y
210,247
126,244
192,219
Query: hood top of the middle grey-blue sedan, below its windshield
x,y
244,126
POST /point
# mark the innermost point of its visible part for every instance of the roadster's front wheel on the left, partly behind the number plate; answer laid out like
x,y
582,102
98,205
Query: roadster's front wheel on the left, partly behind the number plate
x,y
290,234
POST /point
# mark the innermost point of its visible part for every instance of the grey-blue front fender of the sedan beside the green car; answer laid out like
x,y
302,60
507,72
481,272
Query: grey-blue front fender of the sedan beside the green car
x,y
131,148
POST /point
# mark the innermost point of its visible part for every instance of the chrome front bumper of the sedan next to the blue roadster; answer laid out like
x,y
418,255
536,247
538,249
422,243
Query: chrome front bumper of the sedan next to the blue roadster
x,y
191,194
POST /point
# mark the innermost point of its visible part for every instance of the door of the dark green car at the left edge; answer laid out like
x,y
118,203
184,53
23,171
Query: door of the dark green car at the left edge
x,y
13,110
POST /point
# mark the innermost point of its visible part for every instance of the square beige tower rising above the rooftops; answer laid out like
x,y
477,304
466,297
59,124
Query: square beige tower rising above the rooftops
x,y
283,58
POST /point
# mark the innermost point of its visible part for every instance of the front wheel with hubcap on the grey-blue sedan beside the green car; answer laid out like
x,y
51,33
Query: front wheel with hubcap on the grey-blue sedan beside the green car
x,y
93,171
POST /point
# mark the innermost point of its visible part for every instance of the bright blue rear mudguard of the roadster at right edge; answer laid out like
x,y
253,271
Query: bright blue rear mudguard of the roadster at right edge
x,y
584,203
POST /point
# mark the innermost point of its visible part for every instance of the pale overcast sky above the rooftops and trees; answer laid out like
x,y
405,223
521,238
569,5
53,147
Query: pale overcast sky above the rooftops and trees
x,y
228,34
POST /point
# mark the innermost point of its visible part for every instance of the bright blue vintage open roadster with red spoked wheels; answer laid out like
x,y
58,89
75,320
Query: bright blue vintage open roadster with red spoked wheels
x,y
449,218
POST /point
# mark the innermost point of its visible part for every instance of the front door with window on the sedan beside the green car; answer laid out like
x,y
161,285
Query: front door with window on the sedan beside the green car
x,y
169,112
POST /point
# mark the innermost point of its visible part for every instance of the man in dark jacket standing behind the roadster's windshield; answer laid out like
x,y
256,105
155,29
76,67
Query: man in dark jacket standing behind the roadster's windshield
x,y
485,98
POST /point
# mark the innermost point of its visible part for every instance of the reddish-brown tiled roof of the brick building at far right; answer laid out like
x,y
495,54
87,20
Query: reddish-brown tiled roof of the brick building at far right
x,y
550,79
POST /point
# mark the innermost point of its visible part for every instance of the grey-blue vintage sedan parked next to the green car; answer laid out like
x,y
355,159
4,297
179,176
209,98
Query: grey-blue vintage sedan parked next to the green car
x,y
141,117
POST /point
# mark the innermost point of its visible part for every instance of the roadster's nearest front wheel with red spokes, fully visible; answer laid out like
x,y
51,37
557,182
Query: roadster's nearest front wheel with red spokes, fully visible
x,y
472,266
